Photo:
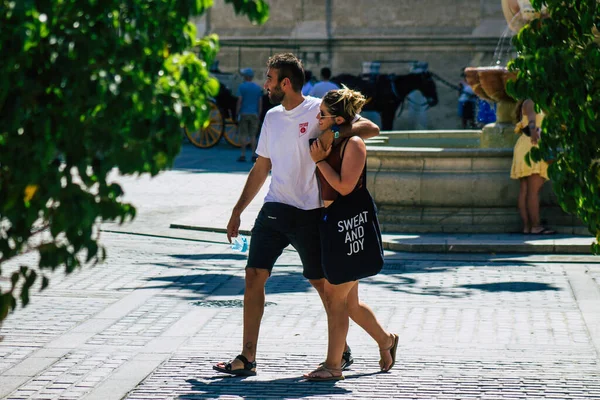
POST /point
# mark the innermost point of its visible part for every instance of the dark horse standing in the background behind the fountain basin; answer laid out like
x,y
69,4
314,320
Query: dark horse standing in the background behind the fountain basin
x,y
385,93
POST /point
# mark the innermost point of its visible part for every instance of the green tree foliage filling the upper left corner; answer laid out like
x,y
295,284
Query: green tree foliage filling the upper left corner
x,y
86,87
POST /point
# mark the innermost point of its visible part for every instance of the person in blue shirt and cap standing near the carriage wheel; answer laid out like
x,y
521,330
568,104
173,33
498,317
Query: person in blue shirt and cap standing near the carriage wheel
x,y
248,110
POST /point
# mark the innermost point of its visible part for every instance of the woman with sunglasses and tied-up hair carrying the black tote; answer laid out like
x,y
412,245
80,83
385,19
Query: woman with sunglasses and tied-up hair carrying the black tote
x,y
332,156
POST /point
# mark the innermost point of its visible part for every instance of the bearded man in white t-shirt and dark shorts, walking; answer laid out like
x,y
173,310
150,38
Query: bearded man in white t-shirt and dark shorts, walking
x,y
292,208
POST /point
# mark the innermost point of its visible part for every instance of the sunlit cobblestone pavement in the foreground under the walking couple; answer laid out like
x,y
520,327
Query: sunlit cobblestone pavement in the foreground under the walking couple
x,y
151,321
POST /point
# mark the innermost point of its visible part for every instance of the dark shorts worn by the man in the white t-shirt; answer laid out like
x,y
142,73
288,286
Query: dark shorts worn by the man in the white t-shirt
x,y
279,225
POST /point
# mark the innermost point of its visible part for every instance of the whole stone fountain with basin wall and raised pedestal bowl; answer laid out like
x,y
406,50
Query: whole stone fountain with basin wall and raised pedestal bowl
x,y
442,189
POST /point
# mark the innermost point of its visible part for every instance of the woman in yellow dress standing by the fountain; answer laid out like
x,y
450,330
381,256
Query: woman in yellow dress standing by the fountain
x,y
531,177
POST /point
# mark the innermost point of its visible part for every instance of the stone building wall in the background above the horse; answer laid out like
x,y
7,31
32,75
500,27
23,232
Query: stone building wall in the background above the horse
x,y
447,34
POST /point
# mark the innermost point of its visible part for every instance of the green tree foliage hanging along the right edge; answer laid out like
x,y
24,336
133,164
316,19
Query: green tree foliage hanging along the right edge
x,y
559,69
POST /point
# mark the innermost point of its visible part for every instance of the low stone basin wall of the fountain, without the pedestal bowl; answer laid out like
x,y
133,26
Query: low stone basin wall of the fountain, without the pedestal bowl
x,y
423,190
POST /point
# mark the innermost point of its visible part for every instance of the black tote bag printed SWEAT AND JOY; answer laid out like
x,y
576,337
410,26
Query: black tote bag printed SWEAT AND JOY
x,y
351,246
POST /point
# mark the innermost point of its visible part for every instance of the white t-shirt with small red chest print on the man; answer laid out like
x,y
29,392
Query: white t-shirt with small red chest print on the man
x,y
284,140
